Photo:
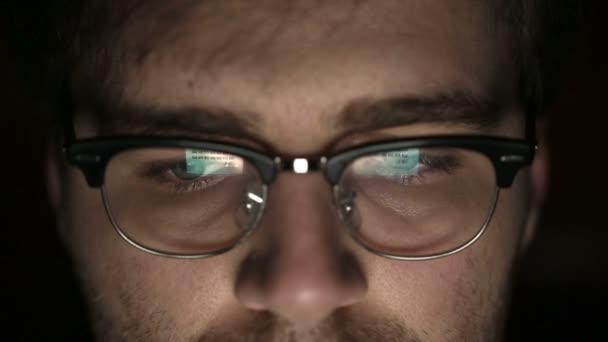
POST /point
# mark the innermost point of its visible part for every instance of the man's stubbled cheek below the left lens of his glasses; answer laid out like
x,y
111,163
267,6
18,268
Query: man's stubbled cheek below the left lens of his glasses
x,y
127,287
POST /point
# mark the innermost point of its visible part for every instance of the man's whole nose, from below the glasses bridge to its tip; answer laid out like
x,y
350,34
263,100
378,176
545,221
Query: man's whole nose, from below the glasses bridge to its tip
x,y
299,266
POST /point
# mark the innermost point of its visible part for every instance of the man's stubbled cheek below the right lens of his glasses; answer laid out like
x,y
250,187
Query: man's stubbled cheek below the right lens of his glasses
x,y
466,291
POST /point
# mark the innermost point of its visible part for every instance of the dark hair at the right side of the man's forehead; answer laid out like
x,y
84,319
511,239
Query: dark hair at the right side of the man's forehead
x,y
543,36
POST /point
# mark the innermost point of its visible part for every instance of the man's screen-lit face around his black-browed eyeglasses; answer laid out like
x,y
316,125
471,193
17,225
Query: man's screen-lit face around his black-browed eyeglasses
x,y
289,69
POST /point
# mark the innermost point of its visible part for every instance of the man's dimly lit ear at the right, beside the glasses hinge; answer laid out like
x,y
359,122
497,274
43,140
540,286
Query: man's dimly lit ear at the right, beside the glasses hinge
x,y
538,184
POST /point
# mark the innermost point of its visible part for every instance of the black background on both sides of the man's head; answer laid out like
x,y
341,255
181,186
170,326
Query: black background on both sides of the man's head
x,y
561,292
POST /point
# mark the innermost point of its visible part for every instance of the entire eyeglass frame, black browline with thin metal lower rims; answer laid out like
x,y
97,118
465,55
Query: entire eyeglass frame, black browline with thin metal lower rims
x,y
507,155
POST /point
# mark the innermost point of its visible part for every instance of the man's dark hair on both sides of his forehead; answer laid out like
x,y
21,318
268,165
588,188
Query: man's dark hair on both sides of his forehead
x,y
52,37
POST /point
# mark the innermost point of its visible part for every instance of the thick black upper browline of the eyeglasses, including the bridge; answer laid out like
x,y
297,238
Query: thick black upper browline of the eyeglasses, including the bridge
x,y
507,155
